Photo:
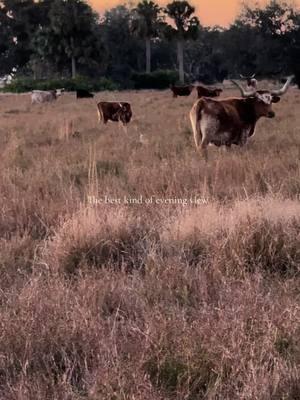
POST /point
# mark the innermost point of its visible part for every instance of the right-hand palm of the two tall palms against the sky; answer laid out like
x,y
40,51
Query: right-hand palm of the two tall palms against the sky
x,y
186,27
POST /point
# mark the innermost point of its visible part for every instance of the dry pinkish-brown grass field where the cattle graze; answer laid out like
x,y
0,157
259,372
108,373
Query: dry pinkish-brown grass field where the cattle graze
x,y
132,270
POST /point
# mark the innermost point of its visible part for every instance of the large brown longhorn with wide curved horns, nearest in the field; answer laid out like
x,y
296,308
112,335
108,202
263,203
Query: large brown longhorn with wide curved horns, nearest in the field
x,y
232,120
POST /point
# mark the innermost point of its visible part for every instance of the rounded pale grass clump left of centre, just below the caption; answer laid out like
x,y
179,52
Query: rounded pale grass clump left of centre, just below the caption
x,y
96,238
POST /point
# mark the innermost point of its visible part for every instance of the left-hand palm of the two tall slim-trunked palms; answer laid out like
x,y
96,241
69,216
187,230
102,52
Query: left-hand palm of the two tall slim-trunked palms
x,y
146,22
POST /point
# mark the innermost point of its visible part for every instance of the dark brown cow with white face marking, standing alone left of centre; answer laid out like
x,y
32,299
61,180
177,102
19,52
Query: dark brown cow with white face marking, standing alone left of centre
x,y
114,111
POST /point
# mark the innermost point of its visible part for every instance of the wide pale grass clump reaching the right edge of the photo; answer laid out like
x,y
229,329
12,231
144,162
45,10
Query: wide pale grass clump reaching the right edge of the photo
x,y
262,234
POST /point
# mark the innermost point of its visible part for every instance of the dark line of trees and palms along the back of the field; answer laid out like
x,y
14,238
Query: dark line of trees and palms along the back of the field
x,y
63,38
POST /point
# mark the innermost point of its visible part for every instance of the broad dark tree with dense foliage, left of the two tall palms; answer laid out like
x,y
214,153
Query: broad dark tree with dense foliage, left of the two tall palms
x,y
72,34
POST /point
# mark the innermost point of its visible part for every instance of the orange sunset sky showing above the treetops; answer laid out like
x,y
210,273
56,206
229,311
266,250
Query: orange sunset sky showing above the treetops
x,y
210,12
